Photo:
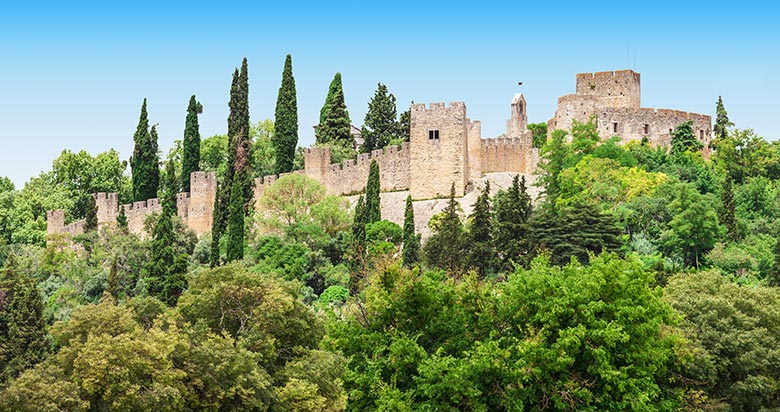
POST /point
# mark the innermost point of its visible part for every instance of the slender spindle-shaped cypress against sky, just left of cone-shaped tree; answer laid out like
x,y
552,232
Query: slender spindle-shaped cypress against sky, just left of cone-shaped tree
x,y
285,137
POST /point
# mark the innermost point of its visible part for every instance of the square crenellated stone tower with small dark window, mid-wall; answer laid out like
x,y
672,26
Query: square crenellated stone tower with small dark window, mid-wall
x,y
438,150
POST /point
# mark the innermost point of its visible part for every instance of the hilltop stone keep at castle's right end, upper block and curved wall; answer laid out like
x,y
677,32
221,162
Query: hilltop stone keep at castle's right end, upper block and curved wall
x,y
614,99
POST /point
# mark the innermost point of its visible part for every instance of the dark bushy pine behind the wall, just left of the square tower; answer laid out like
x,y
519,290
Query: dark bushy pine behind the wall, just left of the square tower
x,y
380,125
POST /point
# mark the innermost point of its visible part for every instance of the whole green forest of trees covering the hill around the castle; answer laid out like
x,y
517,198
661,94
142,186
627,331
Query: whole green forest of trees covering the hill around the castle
x,y
644,278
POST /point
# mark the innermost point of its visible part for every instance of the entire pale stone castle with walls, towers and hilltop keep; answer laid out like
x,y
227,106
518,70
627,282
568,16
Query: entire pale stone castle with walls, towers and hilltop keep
x,y
445,148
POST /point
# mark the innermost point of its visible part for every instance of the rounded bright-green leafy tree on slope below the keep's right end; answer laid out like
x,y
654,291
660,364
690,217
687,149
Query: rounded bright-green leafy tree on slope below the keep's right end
x,y
694,227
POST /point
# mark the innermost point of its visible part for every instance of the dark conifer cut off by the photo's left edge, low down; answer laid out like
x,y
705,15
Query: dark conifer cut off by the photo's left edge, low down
x,y
23,341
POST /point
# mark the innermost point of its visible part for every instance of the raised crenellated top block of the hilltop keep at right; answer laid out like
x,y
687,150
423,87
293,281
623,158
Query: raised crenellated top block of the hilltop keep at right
x,y
611,89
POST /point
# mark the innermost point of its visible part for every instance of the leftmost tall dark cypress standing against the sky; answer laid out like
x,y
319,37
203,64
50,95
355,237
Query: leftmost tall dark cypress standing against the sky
x,y
145,161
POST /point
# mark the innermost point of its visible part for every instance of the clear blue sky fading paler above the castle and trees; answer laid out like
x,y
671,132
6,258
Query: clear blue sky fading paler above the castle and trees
x,y
73,74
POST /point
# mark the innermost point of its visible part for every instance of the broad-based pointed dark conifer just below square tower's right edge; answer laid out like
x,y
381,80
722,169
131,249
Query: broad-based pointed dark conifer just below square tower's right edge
x,y
445,247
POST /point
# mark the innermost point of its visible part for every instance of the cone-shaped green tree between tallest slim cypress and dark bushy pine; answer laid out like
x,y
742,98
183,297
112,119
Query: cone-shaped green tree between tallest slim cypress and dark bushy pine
x,y
334,127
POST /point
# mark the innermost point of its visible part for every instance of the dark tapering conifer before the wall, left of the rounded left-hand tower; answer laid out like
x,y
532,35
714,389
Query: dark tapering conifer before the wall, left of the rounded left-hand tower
x,y
162,281
